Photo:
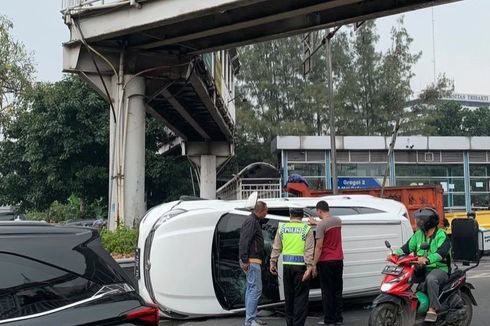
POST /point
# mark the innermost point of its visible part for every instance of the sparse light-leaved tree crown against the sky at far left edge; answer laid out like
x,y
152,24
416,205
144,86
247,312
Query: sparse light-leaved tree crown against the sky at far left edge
x,y
16,67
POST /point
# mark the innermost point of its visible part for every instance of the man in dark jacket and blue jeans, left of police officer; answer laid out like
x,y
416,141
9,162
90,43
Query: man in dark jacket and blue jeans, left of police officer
x,y
251,253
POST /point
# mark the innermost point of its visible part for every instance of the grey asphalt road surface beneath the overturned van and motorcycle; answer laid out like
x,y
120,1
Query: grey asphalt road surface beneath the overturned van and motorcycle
x,y
357,311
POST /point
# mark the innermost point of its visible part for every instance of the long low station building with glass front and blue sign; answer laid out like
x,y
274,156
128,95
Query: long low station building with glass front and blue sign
x,y
461,165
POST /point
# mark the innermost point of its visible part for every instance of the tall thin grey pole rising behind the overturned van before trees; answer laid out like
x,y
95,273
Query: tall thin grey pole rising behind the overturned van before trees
x,y
333,149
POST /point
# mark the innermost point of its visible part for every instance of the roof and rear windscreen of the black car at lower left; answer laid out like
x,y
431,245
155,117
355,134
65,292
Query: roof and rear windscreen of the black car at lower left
x,y
70,248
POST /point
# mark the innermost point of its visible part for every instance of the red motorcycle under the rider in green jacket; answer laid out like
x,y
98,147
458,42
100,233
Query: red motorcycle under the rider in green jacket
x,y
400,305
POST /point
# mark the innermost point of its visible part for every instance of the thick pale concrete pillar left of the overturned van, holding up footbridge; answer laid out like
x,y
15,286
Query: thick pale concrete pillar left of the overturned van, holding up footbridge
x,y
127,153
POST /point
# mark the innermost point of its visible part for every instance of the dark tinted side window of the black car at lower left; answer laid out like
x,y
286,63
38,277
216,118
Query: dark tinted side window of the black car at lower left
x,y
30,287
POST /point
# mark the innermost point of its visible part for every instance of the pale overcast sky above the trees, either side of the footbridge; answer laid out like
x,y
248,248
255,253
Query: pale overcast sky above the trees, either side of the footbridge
x,y
462,47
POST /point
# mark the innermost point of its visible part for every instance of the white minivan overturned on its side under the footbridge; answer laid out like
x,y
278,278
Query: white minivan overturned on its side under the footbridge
x,y
187,256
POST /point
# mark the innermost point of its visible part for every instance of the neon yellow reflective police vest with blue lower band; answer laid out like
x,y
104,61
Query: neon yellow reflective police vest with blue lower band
x,y
293,235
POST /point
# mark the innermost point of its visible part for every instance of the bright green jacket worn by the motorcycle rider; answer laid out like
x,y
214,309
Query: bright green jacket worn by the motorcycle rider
x,y
439,249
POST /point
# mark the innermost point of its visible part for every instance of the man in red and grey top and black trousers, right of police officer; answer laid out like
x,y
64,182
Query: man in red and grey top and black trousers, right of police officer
x,y
329,260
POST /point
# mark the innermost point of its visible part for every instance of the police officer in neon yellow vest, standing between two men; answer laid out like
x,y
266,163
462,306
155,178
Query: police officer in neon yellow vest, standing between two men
x,y
296,242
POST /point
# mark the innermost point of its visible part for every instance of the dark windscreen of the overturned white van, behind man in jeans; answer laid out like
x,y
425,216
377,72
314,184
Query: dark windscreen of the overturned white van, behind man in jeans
x,y
229,280
